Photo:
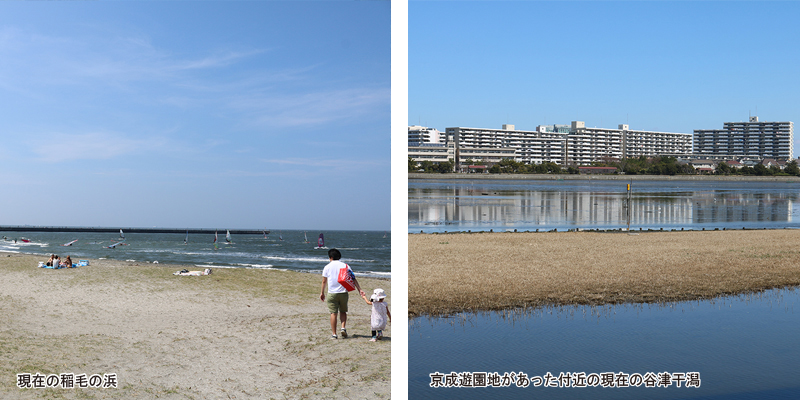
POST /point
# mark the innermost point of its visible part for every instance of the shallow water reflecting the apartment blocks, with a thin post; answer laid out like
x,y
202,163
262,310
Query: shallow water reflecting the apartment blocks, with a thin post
x,y
483,205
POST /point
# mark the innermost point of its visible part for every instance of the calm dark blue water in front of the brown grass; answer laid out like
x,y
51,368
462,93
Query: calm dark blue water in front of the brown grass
x,y
742,347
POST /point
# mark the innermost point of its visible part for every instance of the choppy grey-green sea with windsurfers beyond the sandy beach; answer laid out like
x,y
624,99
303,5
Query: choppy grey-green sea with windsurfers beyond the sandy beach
x,y
367,252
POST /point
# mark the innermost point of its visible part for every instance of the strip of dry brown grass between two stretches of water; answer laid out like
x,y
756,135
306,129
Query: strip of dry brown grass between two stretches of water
x,y
490,271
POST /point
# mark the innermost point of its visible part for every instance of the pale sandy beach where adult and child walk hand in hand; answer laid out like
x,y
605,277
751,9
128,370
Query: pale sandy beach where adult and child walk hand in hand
x,y
237,333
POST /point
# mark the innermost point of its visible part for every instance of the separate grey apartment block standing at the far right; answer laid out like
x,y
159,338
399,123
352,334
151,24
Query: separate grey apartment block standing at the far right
x,y
753,139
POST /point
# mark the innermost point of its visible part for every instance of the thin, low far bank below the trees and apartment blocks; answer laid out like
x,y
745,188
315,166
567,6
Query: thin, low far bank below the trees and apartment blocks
x,y
565,177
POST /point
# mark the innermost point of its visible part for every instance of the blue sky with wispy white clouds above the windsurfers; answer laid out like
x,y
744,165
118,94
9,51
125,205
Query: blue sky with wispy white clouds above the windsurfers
x,y
195,114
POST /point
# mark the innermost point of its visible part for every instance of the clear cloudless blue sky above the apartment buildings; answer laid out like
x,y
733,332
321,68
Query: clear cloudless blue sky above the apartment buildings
x,y
665,66
